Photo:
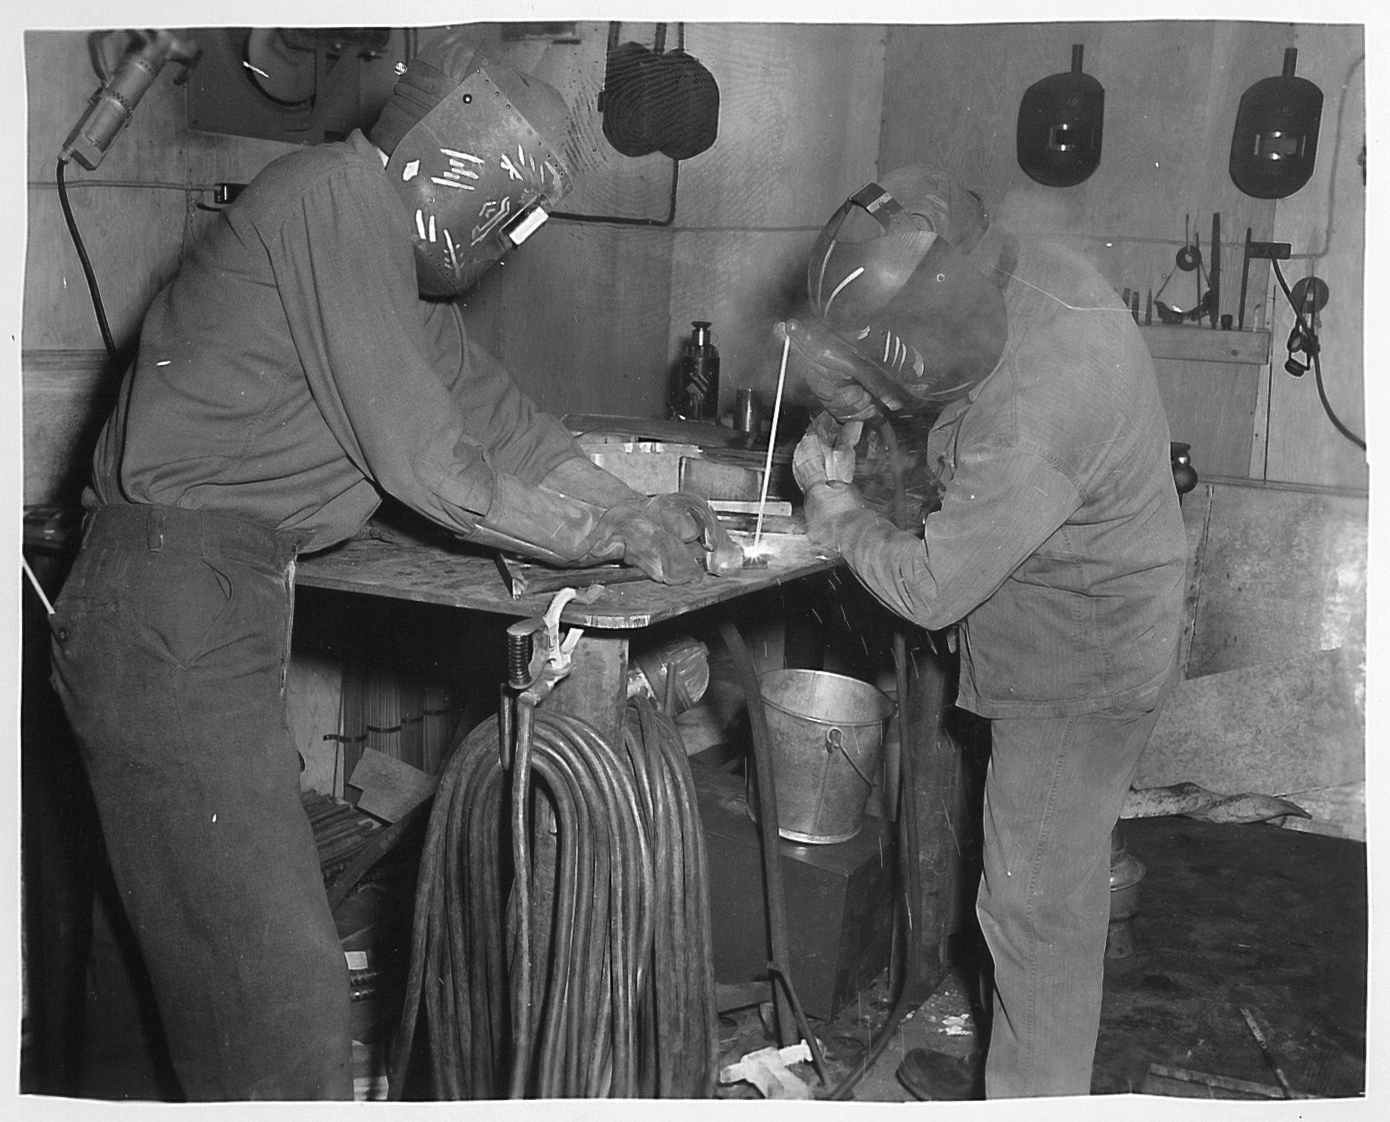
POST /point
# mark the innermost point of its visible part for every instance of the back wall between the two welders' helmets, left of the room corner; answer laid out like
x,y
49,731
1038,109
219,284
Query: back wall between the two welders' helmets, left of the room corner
x,y
590,318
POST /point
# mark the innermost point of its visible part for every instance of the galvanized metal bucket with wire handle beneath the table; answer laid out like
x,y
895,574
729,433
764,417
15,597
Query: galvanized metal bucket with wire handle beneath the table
x,y
826,736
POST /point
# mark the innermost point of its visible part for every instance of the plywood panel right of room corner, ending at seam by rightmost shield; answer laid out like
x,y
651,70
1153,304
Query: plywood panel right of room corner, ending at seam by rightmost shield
x,y
951,95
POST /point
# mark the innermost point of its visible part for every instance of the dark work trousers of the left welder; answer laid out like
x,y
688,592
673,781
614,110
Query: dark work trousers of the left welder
x,y
170,649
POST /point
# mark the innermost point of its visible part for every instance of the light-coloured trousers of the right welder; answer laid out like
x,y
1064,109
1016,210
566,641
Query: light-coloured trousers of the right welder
x,y
1054,792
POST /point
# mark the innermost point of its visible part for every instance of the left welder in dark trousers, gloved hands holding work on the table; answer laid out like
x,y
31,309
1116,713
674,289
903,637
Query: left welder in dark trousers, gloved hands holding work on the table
x,y
308,358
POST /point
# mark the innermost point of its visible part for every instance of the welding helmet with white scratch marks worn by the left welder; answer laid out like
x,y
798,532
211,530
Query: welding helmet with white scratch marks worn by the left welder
x,y
477,152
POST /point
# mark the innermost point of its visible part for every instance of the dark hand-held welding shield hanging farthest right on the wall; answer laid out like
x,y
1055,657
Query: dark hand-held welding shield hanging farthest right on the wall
x,y
1275,144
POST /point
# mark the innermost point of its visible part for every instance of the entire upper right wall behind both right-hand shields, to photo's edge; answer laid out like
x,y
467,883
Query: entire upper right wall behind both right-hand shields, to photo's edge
x,y
1172,90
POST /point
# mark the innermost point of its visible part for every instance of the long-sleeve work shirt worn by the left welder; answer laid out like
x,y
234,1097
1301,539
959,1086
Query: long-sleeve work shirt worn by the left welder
x,y
291,373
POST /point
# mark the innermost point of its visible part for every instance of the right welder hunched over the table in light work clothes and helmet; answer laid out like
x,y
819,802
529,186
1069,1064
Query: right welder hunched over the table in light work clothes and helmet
x,y
1057,557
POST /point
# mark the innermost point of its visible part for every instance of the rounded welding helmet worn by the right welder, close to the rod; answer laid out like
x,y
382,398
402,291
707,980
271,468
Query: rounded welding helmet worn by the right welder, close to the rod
x,y
900,305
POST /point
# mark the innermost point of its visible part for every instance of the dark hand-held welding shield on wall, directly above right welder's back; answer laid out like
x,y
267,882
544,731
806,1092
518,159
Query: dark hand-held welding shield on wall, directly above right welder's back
x,y
1060,127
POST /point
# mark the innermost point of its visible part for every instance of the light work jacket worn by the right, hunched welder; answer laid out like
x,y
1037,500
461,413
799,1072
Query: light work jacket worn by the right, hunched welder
x,y
1060,547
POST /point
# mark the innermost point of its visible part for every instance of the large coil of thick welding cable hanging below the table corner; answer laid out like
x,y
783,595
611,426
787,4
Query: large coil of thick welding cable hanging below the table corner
x,y
576,961
